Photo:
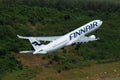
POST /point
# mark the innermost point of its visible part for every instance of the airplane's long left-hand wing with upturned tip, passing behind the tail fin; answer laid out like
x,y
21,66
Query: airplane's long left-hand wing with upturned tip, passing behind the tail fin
x,y
49,38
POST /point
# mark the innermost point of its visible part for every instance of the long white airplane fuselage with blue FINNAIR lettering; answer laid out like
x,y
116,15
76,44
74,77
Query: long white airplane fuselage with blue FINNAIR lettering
x,y
69,38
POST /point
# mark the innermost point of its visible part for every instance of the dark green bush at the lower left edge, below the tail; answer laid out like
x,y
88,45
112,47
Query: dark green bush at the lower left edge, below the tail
x,y
8,63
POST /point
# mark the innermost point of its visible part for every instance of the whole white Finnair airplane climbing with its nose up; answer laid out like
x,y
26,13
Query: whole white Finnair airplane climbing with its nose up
x,y
57,42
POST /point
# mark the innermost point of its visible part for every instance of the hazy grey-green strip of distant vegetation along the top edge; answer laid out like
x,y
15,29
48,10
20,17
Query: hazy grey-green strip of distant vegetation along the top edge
x,y
101,5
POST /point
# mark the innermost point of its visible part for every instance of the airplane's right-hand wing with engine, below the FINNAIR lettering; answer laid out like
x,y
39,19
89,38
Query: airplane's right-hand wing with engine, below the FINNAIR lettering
x,y
86,39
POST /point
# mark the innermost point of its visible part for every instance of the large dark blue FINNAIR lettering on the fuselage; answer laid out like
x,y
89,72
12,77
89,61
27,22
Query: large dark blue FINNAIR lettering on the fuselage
x,y
83,30
